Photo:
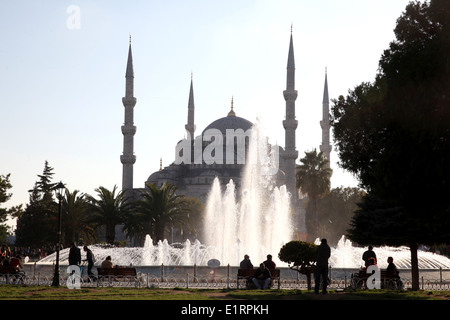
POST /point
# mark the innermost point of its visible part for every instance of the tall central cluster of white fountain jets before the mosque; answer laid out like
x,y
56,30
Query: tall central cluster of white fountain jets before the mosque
x,y
255,221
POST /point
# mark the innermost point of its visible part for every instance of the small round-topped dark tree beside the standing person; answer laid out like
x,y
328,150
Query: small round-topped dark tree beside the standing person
x,y
301,257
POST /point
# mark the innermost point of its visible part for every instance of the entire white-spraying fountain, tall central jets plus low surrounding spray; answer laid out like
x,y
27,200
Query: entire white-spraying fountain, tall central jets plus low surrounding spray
x,y
255,221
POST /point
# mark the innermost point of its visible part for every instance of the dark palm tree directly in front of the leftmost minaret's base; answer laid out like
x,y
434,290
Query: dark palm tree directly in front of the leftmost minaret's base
x,y
109,210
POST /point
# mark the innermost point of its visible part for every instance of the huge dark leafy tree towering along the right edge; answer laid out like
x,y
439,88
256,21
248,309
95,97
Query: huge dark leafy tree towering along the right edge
x,y
394,134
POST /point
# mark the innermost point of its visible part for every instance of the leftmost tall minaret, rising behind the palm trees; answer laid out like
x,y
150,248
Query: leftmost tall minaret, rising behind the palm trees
x,y
128,129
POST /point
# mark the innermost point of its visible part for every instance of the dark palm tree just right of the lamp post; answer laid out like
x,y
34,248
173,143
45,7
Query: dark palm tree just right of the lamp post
x,y
75,218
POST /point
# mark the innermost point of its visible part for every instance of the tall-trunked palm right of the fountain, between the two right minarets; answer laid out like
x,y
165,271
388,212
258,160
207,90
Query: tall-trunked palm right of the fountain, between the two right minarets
x,y
313,178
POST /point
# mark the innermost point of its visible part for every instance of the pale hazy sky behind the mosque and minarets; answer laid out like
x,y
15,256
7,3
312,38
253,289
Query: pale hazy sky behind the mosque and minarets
x,y
63,64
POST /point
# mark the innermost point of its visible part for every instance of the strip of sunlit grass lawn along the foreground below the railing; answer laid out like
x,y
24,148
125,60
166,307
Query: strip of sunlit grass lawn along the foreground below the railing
x,y
12,292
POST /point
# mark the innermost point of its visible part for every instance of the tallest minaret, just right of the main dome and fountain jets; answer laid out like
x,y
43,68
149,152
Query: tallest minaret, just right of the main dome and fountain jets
x,y
290,124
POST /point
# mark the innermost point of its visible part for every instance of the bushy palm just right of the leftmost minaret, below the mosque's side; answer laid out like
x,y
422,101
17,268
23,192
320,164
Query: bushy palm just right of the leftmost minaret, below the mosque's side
x,y
160,206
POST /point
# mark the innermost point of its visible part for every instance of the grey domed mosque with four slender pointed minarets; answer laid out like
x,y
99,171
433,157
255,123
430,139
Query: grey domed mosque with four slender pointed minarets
x,y
193,174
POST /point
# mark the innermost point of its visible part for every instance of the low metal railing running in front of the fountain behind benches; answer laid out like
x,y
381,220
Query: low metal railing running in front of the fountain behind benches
x,y
339,279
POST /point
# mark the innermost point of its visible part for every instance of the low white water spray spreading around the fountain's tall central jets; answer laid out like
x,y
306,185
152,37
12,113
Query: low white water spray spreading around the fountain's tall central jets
x,y
344,255
